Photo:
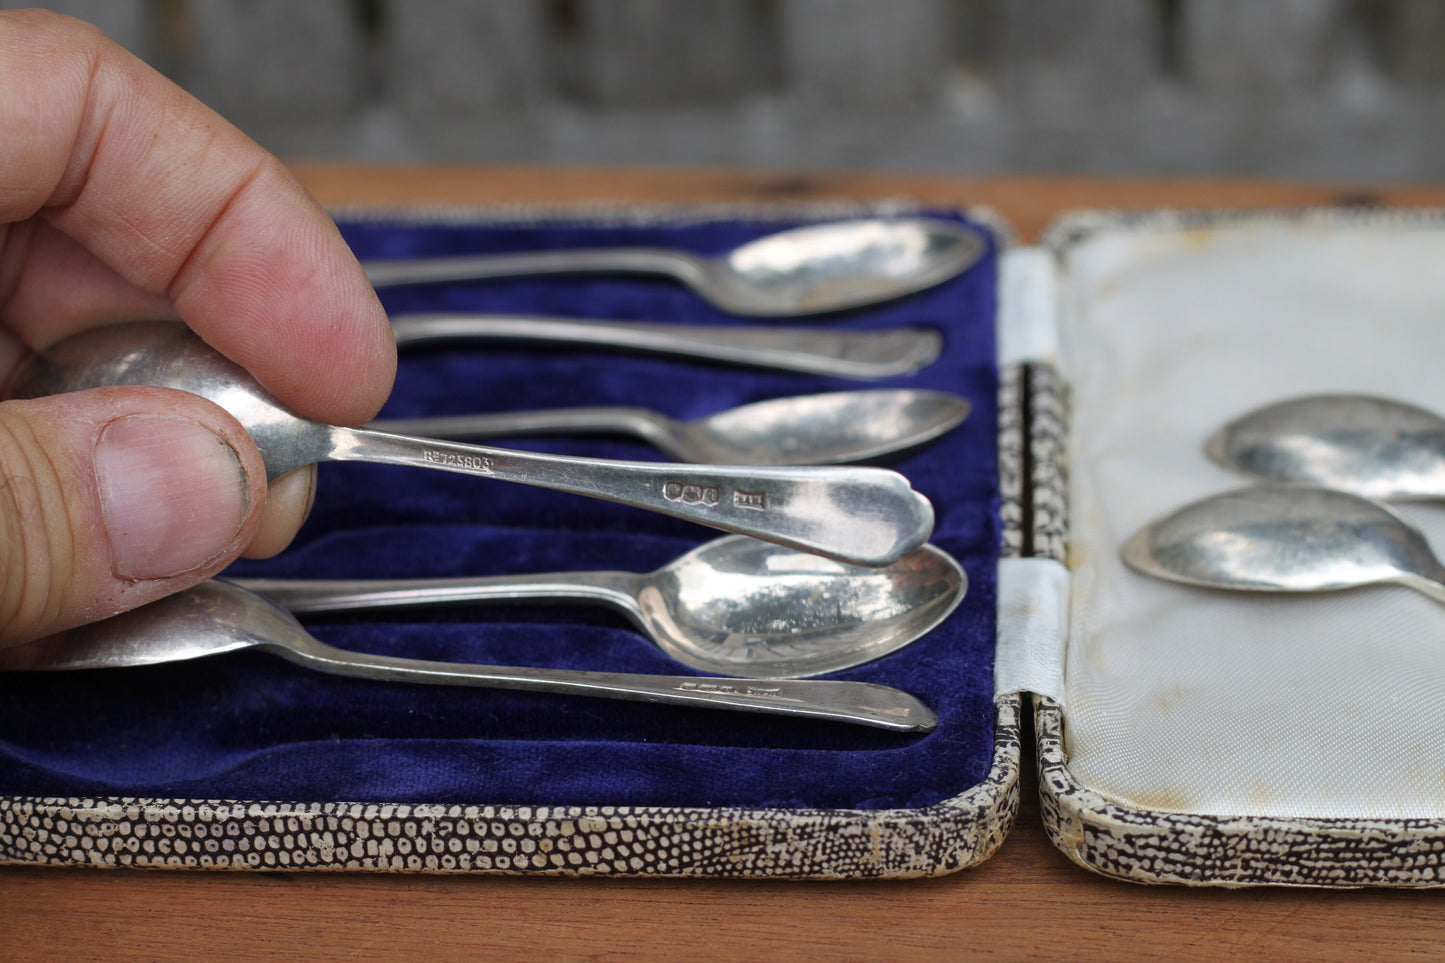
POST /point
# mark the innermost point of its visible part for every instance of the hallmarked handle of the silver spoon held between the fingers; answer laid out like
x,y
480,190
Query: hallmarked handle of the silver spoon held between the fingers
x,y
860,515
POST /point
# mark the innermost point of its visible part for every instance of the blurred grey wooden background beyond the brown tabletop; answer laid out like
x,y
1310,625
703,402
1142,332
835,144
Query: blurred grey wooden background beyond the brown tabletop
x,y
1340,90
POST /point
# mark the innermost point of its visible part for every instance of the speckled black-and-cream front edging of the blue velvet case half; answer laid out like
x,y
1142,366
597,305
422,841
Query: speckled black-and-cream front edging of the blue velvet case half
x,y
496,839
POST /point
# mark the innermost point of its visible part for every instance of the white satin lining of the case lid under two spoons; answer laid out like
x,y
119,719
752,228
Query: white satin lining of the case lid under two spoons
x,y
1202,702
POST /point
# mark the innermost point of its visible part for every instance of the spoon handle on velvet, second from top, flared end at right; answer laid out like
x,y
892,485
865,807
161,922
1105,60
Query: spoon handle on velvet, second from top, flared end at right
x,y
858,355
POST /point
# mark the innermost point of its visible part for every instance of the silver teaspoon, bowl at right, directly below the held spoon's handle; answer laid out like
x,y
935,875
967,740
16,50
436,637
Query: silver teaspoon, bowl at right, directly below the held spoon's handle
x,y
735,607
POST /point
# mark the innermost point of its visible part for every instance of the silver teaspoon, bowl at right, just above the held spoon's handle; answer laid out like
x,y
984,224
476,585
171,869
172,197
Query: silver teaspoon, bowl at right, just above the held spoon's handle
x,y
827,429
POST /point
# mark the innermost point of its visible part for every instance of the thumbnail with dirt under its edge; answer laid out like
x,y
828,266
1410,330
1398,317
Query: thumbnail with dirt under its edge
x,y
173,494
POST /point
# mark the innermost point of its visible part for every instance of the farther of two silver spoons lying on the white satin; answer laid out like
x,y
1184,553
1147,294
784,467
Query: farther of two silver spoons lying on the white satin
x,y
1372,446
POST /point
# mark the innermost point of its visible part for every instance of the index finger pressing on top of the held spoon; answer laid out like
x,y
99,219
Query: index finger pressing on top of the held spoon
x,y
181,205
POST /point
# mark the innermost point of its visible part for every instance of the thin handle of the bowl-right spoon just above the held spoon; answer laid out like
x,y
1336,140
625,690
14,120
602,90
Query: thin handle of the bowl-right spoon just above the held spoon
x,y
628,421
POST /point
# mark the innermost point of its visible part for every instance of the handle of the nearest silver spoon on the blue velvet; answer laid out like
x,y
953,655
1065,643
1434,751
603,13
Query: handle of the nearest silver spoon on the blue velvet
x,y
859,703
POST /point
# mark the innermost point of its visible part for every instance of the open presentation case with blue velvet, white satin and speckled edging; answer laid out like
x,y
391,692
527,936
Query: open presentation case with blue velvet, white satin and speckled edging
x,y
1184,737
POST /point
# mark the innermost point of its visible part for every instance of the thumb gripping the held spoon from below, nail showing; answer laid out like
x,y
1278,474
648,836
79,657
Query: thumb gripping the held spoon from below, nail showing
x,y
113,498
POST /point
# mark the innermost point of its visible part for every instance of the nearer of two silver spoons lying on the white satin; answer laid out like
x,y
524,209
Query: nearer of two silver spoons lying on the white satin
x,y
1287,539
